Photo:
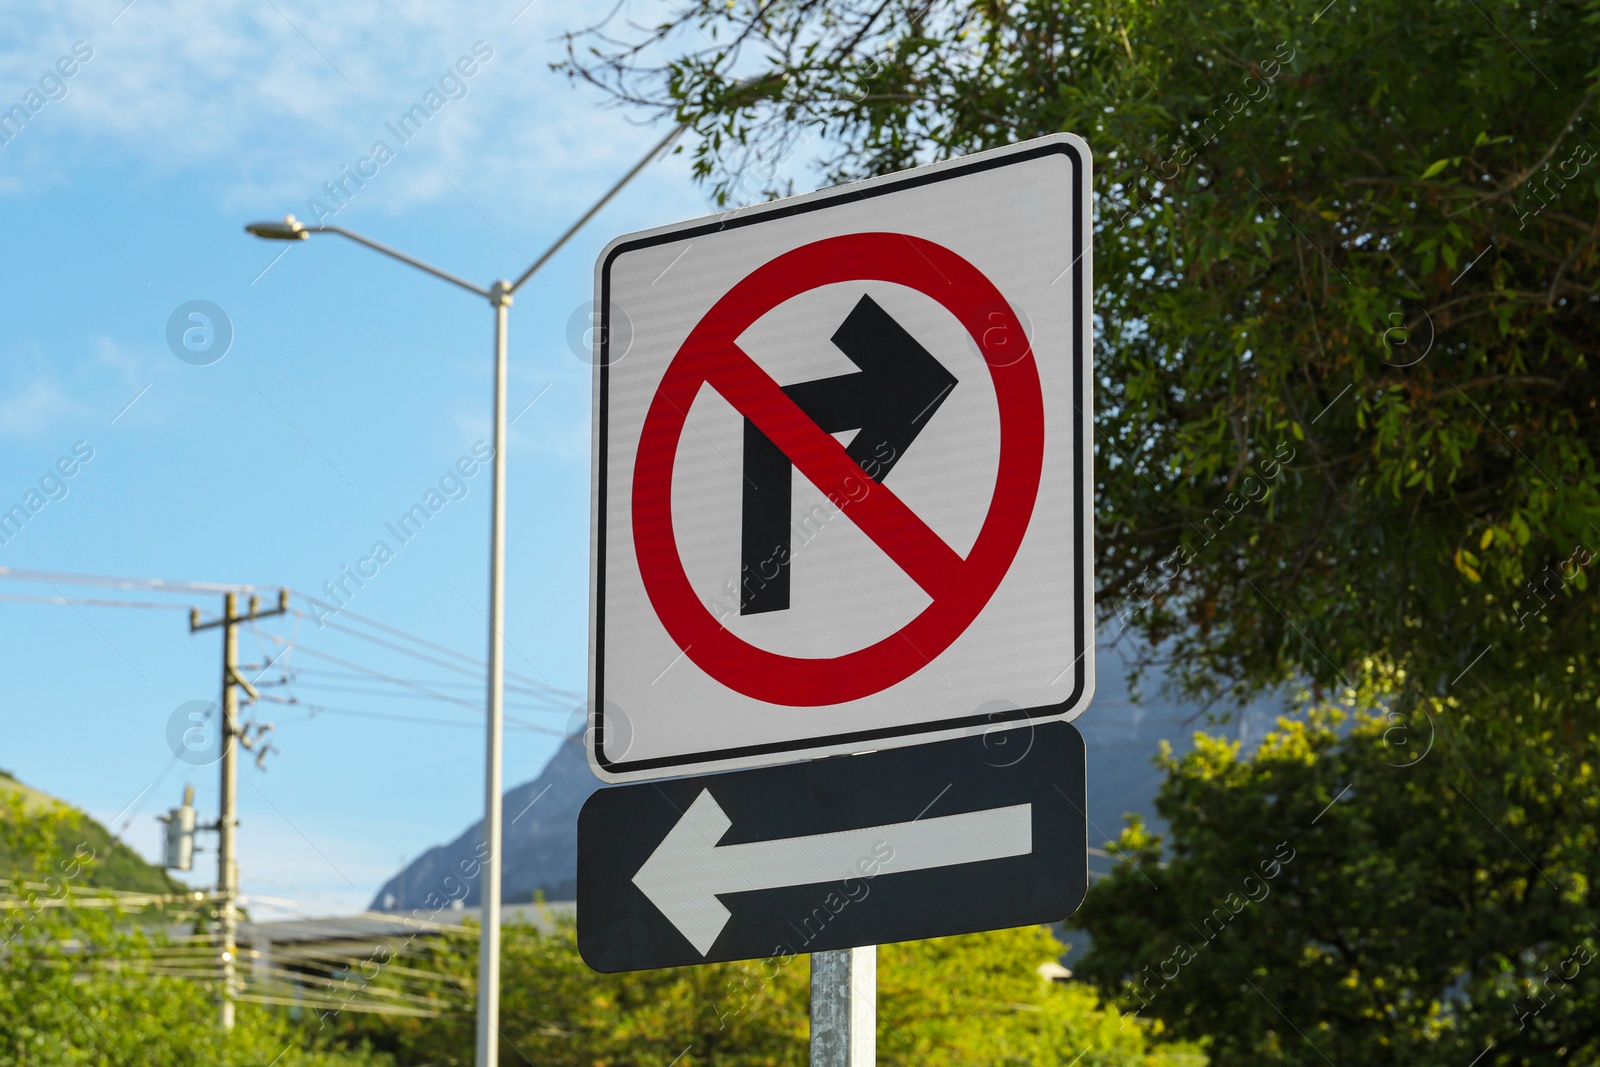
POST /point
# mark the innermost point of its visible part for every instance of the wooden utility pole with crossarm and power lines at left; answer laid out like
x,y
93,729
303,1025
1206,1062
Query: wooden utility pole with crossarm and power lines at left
x,y
228,817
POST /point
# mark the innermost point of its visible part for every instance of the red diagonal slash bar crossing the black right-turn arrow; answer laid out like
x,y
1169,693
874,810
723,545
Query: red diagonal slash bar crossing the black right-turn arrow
x,y
882,516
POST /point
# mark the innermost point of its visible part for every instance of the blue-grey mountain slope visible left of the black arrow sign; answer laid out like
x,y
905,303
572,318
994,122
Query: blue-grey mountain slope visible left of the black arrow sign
x,y
540,836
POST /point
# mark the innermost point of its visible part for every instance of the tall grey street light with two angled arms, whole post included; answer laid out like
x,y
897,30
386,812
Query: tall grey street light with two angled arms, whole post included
x,y
500,298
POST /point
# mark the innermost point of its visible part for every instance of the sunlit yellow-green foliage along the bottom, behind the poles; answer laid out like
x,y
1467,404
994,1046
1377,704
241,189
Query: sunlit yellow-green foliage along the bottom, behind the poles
x,y
76,988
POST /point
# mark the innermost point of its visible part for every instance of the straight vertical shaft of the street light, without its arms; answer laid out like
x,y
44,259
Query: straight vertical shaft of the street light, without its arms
x,y
490,876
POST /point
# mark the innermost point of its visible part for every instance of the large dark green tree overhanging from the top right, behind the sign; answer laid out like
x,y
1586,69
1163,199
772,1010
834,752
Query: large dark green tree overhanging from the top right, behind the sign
x,y
1351,241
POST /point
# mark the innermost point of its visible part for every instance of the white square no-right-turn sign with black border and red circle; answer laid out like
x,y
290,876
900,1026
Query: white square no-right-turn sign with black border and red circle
x,y
844,470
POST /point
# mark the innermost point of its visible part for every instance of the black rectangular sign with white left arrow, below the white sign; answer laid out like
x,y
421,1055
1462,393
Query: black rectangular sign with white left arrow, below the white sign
x,y
945,839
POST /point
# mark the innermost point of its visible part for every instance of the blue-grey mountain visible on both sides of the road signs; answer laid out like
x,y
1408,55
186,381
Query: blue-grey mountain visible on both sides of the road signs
x,y
542,817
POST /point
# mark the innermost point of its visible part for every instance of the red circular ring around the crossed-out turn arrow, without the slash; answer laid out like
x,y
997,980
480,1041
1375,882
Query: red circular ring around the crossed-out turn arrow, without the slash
x,y
799,682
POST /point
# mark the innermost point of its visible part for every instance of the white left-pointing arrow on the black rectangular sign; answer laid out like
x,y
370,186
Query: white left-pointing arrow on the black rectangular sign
x,y
689,871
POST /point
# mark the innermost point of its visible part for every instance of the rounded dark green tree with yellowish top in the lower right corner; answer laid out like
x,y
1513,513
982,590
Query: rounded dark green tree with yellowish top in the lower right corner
x,y
1377,893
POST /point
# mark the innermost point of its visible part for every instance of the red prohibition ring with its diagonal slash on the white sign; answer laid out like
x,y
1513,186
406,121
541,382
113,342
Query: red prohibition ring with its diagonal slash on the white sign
x,y
959,588
